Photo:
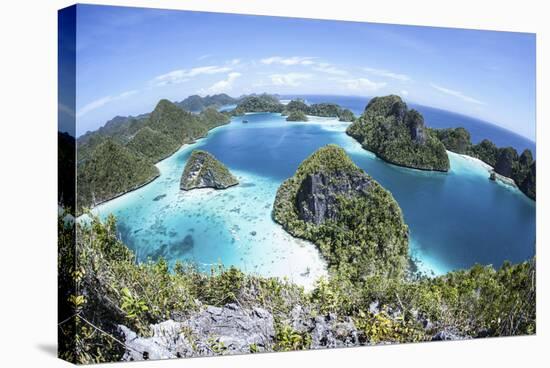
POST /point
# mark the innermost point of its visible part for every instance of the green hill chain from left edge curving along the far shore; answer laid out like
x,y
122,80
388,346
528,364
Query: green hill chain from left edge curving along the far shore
x,y
120,156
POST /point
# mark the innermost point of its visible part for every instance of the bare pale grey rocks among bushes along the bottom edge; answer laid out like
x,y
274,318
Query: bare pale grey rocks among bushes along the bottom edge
x,y
232,329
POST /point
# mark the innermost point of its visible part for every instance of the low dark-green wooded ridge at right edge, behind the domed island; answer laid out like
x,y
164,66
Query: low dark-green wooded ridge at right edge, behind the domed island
x,y
505,160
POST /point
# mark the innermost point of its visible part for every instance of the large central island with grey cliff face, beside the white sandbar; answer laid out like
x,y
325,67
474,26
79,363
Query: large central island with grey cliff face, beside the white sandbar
x,y
362,231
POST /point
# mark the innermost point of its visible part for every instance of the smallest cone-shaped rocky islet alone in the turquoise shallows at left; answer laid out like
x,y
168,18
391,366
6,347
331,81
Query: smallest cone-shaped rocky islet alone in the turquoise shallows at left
x,y
203,170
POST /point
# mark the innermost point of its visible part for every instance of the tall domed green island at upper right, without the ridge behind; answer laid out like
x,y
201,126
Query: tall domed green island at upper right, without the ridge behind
x,y
398,135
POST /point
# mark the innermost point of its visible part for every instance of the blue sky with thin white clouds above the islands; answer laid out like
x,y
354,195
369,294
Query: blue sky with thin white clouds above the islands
x,y
129,58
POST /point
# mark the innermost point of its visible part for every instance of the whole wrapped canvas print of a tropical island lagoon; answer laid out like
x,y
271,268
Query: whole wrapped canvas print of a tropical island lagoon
x,y
240,184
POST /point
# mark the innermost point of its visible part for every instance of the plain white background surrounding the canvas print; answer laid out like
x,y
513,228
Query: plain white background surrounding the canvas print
x,y
28,126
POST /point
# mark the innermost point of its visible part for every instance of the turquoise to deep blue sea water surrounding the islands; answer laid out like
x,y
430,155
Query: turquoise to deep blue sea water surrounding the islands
x,y
456,219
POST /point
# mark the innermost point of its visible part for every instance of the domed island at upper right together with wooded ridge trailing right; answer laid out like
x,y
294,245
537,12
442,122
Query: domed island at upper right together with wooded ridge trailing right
x,y
398,135
